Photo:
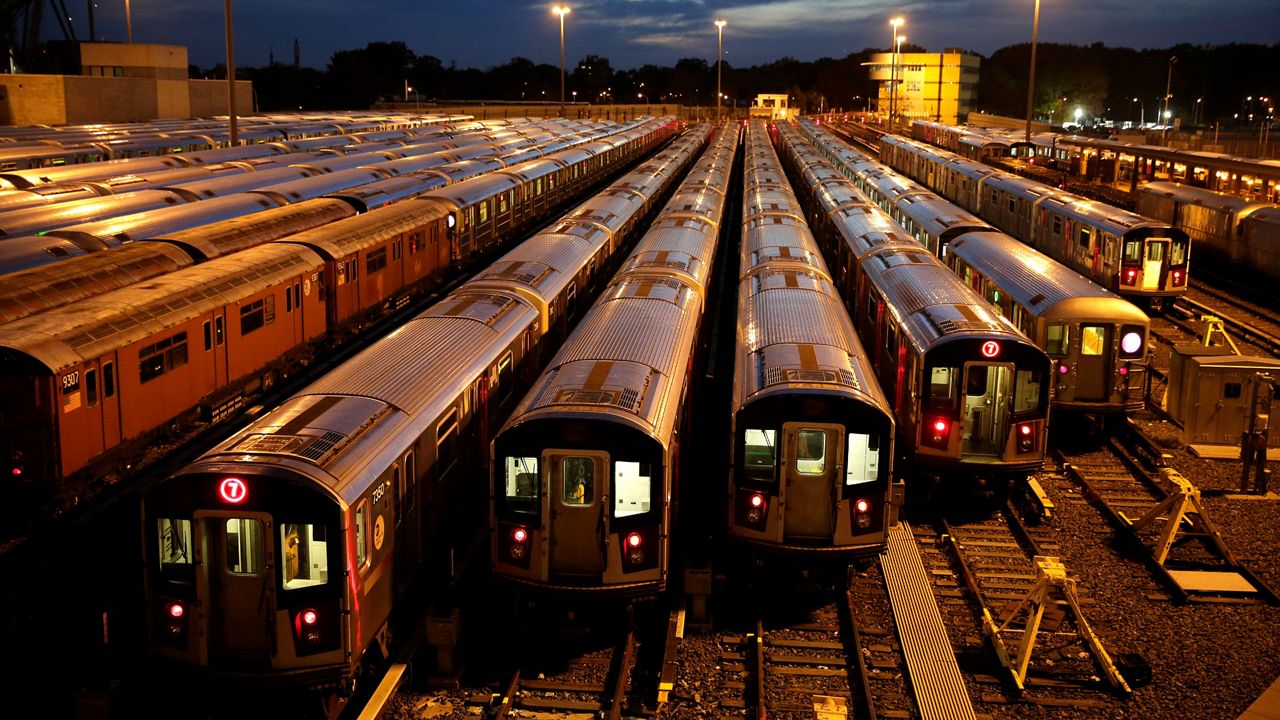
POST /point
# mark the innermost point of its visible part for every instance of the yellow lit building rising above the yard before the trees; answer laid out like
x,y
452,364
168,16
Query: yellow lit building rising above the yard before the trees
x,y
932,86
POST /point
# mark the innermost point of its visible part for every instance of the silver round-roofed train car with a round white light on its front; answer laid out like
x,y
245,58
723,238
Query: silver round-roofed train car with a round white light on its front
x,y
1096,340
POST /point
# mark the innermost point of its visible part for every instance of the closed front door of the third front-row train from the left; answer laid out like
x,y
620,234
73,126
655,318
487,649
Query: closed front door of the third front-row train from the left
x,y
812,455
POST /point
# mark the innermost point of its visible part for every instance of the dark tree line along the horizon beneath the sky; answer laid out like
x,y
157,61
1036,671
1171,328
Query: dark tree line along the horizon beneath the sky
x,y
1209,83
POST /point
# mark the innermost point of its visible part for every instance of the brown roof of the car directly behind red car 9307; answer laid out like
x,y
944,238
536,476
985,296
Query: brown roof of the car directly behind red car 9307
x,y
80,275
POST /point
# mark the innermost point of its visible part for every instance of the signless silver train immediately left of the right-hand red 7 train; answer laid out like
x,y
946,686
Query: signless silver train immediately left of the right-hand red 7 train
x,y
812,432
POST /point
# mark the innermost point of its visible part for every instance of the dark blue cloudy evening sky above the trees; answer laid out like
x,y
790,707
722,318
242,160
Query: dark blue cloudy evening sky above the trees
x,y
634,33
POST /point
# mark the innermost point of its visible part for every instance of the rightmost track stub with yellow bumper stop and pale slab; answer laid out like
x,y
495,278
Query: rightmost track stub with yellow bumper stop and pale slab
x,y
1162,516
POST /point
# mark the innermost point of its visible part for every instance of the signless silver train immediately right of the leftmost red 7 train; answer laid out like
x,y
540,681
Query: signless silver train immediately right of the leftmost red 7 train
x,y
586,471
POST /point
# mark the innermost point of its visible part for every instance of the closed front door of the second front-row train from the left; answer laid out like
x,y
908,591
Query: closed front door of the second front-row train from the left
x,y
577,499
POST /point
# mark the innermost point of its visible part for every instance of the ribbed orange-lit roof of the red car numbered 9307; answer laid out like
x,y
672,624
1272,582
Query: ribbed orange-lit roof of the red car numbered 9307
x,y
74,334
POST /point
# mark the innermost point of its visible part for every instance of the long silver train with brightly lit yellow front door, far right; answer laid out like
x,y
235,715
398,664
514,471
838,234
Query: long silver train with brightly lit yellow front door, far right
x,y
1137,258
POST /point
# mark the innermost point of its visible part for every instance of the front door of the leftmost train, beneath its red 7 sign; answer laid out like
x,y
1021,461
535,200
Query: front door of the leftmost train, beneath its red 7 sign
x,y
241,584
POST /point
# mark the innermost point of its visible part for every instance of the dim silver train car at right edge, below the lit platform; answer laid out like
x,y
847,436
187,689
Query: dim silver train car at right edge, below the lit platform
x,y
1213,221
